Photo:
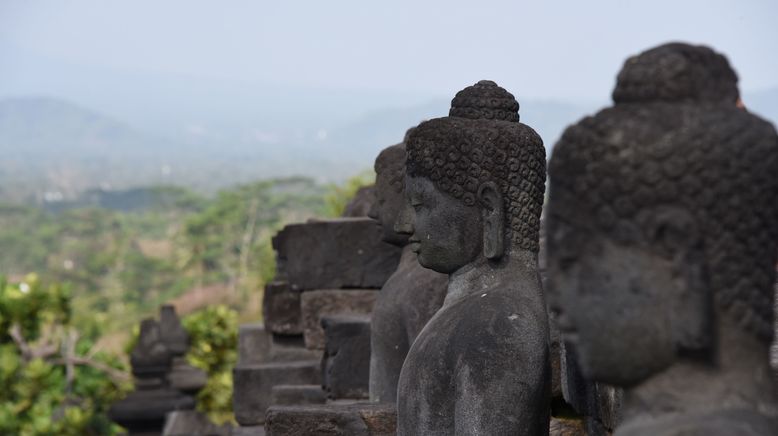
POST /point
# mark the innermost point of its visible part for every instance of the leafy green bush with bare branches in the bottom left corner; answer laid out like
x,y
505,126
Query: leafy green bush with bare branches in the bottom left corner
x,y
51,379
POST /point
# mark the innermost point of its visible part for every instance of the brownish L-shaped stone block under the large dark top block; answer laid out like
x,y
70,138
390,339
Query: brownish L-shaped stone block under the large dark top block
x,y
316,304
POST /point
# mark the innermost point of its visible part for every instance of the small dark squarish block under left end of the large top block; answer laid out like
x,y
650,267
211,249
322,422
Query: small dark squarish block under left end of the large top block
x,y
281,309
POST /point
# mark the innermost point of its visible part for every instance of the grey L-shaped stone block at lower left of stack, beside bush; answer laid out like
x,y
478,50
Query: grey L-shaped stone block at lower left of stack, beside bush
x,y
253,385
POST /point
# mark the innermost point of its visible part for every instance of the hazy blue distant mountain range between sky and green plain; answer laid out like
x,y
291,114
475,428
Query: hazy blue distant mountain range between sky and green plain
x,y
54,149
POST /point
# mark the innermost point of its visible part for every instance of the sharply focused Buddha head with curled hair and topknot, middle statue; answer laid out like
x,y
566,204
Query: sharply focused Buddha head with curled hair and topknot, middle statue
x,y
475,181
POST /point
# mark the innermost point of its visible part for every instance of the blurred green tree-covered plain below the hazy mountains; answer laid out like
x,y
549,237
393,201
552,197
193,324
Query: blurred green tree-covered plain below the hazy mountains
x,y
123,261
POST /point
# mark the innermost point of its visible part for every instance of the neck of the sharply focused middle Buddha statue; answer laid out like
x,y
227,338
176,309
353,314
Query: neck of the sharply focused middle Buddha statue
x,y
483,275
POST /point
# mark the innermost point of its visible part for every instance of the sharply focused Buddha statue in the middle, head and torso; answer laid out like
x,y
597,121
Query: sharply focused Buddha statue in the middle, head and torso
x,y
475,181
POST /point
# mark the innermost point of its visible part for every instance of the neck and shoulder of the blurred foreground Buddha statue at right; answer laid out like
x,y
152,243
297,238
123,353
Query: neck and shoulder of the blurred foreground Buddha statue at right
x,y
739,378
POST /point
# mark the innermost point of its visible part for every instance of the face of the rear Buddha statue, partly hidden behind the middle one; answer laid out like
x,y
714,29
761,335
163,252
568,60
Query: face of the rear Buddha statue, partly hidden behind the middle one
x,y
389,199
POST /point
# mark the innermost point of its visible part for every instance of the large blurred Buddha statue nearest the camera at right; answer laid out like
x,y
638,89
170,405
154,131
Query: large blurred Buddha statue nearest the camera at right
x,y
662,240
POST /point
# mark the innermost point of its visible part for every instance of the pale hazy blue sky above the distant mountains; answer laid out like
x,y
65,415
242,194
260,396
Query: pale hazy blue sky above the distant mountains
x,y
540,49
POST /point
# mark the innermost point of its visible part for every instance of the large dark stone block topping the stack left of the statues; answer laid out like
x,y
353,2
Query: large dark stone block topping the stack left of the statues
x,y
337,253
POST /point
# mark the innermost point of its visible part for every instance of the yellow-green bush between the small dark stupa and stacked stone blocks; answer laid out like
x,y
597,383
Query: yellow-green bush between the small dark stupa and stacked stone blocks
x,y
213,332
